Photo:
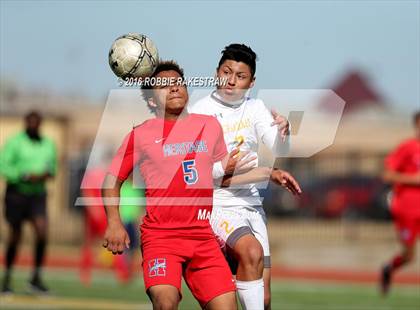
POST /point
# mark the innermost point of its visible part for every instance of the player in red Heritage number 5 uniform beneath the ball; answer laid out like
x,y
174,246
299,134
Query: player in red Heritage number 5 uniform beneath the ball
x,y
175,152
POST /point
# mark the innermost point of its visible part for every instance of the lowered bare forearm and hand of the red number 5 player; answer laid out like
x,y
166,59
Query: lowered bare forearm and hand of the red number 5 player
x,y
116,237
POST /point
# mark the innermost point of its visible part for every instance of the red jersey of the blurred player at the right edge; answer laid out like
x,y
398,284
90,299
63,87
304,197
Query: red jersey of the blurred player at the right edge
x,y
406,159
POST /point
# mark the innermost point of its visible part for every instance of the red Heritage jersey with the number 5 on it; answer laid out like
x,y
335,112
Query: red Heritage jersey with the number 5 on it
x,y
176,160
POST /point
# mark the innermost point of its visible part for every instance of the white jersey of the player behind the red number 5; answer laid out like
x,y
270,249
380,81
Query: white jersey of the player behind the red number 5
x,y
250,122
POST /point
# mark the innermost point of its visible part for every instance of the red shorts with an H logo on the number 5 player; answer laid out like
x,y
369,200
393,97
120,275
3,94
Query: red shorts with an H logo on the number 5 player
x,y
201,262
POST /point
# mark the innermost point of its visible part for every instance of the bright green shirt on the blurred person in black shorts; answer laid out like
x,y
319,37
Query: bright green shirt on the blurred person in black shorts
x,y
22,156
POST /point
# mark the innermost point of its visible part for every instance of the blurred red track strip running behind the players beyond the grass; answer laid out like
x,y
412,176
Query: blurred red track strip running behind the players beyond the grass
x,y
333,275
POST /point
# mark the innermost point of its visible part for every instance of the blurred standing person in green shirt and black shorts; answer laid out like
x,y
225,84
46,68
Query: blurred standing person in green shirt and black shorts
x,y
27,161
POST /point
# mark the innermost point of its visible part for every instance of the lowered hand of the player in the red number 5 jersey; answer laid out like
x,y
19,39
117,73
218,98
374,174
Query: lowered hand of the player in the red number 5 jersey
x,y
116,238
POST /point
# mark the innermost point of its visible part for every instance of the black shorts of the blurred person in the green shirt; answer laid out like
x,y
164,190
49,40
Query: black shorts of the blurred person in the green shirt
x,y
20,207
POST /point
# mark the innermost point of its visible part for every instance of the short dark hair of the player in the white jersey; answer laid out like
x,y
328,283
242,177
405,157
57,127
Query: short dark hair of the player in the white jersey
x,y
239,52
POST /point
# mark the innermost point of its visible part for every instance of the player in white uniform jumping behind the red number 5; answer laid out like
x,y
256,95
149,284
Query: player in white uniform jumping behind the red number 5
x,y
238,218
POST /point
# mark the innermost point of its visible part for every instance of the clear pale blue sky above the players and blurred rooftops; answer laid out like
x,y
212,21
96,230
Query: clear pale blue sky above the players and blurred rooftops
x,y
62,46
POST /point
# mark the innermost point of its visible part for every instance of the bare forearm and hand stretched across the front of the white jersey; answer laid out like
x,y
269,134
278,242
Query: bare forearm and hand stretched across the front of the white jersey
x,y
260,174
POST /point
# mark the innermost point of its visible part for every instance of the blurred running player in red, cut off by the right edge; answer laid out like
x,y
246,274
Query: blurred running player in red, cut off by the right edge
x,y
402,169
